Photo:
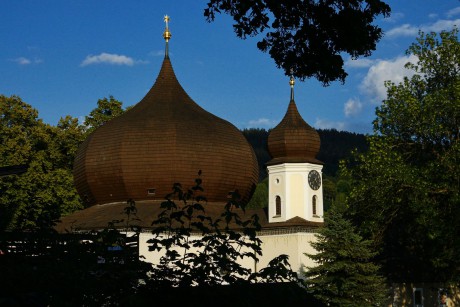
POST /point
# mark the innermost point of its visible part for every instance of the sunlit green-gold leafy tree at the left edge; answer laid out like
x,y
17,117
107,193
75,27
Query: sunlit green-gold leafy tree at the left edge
x,y
45,191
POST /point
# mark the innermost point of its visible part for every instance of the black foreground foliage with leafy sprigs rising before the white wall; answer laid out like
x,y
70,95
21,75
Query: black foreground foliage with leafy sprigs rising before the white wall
x,y
102,268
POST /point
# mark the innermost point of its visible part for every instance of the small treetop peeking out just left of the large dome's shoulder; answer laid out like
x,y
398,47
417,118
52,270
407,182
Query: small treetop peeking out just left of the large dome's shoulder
x,y
106,110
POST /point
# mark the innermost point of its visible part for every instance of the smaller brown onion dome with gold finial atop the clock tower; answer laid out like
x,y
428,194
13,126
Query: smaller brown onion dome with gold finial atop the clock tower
x,y
293,140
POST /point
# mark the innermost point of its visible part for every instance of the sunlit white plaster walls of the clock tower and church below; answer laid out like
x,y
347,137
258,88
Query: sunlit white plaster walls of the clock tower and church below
x,y
289,181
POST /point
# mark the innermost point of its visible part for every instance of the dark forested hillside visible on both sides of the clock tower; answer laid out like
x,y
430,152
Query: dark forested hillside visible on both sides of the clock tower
x,y
335,146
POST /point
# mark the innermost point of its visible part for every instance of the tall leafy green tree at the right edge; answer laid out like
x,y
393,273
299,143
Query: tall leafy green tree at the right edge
x,y
405,189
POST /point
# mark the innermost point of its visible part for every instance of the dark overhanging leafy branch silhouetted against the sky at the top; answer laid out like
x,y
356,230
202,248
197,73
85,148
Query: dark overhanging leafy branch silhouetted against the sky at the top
x,y
305,36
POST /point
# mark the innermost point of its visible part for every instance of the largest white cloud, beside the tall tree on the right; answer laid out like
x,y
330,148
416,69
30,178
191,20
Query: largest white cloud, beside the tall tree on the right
x,y
383,70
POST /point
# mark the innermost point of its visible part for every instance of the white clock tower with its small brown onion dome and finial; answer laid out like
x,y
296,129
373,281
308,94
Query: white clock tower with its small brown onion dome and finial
x,y
294,173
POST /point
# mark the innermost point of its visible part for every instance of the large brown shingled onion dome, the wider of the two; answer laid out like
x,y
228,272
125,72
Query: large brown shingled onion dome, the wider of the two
x,y
165,138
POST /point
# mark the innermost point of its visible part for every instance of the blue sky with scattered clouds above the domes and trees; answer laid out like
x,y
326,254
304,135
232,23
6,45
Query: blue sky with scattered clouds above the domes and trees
x,y
62,56
